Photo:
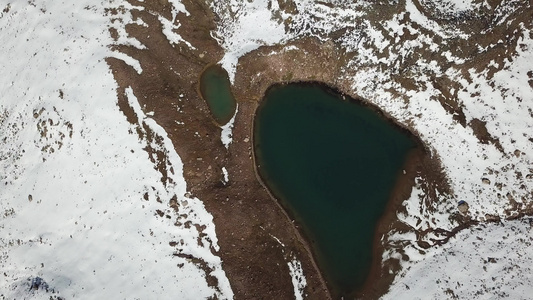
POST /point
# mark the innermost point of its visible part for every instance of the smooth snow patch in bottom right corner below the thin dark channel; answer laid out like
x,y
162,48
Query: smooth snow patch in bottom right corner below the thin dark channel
x,y
490,261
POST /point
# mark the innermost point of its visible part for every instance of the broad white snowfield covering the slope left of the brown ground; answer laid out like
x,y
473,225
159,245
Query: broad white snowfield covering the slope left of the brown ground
x,y
74,174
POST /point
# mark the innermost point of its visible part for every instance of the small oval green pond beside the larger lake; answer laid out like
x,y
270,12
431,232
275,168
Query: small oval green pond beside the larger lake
x,y
215,88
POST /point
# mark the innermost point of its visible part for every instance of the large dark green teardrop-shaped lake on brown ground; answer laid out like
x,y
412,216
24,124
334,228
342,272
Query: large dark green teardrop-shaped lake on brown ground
x,y
333,164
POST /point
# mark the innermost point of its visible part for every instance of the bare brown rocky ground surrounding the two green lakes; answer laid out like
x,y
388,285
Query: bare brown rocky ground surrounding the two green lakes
x,y
247,218
